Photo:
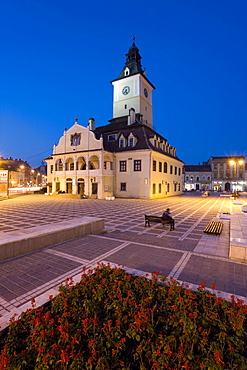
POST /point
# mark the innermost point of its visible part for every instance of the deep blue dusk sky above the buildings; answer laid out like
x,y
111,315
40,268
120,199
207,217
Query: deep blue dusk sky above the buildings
x,y
58,58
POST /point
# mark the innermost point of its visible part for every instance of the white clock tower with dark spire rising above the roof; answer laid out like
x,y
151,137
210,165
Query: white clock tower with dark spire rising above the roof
x,y
132,89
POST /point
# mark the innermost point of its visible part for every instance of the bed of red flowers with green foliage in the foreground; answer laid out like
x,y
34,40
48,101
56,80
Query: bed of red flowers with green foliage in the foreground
x,y
112,320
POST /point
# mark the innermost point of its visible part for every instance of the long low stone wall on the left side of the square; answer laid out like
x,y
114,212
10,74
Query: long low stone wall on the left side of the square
x,y
29,240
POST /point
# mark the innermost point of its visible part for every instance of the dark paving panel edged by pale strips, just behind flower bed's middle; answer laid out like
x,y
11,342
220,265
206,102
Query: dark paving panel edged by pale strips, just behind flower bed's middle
x,y
140,257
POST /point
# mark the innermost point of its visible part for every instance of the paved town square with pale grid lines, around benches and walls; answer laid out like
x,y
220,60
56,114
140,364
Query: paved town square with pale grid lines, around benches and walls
x,y
185,254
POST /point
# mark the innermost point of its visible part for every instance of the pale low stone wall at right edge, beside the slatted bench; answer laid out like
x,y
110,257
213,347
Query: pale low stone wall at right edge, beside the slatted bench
x,y
238,236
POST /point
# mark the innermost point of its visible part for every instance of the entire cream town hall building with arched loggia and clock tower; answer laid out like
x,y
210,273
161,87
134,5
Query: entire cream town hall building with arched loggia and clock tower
x,y
125,158
